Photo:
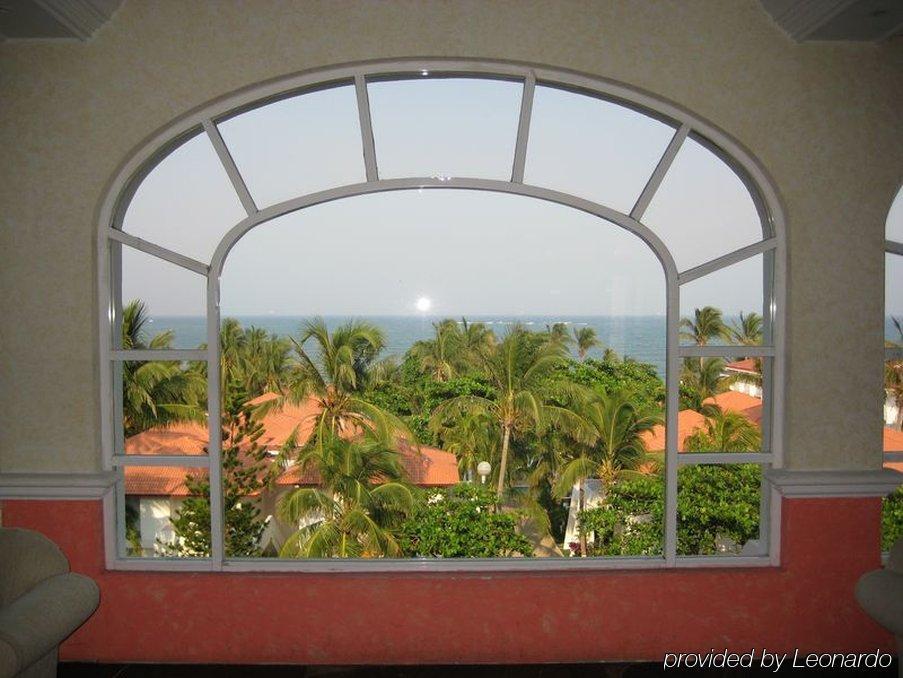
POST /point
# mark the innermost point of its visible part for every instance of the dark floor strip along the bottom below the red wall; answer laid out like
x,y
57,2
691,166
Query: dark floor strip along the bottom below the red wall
x,y
77,670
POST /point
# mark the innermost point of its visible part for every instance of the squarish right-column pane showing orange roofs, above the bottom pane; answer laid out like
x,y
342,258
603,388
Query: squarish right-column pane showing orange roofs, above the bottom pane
x,y
721,405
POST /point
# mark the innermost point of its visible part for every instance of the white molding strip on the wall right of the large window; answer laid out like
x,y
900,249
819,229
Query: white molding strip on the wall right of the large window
x,y
828,484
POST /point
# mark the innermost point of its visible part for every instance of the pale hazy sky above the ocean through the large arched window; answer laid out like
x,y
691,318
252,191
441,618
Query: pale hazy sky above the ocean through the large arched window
x,y
467,252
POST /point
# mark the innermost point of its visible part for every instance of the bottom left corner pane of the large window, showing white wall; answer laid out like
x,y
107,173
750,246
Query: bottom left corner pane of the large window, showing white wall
x,y
167,512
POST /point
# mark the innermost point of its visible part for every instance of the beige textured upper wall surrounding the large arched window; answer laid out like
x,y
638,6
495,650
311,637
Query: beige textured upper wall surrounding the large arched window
x,y
825,120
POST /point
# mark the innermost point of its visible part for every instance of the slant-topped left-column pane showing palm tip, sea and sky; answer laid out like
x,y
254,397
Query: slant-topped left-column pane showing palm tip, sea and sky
x,y
164,305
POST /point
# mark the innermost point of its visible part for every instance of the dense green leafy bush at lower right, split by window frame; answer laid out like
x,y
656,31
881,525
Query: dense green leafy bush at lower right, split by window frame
x,y
714,503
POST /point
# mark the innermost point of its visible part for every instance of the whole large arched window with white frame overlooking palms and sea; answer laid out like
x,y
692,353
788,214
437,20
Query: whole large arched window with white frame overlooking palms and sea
x,y
538,170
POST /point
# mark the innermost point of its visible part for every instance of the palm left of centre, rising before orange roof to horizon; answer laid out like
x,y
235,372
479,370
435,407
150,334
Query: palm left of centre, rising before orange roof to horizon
x,y
336,377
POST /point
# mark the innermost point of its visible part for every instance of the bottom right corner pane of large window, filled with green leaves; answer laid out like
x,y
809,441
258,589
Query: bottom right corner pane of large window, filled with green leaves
x,y
718,510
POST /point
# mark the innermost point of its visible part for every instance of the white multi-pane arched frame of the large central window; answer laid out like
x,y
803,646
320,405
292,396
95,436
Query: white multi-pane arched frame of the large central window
x,y
111,238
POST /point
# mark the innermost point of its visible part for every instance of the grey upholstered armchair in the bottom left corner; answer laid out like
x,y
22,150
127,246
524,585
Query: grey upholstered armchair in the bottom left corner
x,y
41,603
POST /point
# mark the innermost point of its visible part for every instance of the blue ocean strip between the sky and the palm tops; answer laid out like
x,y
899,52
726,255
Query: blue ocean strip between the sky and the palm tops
x,y
639,337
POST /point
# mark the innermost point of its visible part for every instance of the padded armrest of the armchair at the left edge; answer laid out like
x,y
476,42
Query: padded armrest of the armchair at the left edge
x,y
35,623
